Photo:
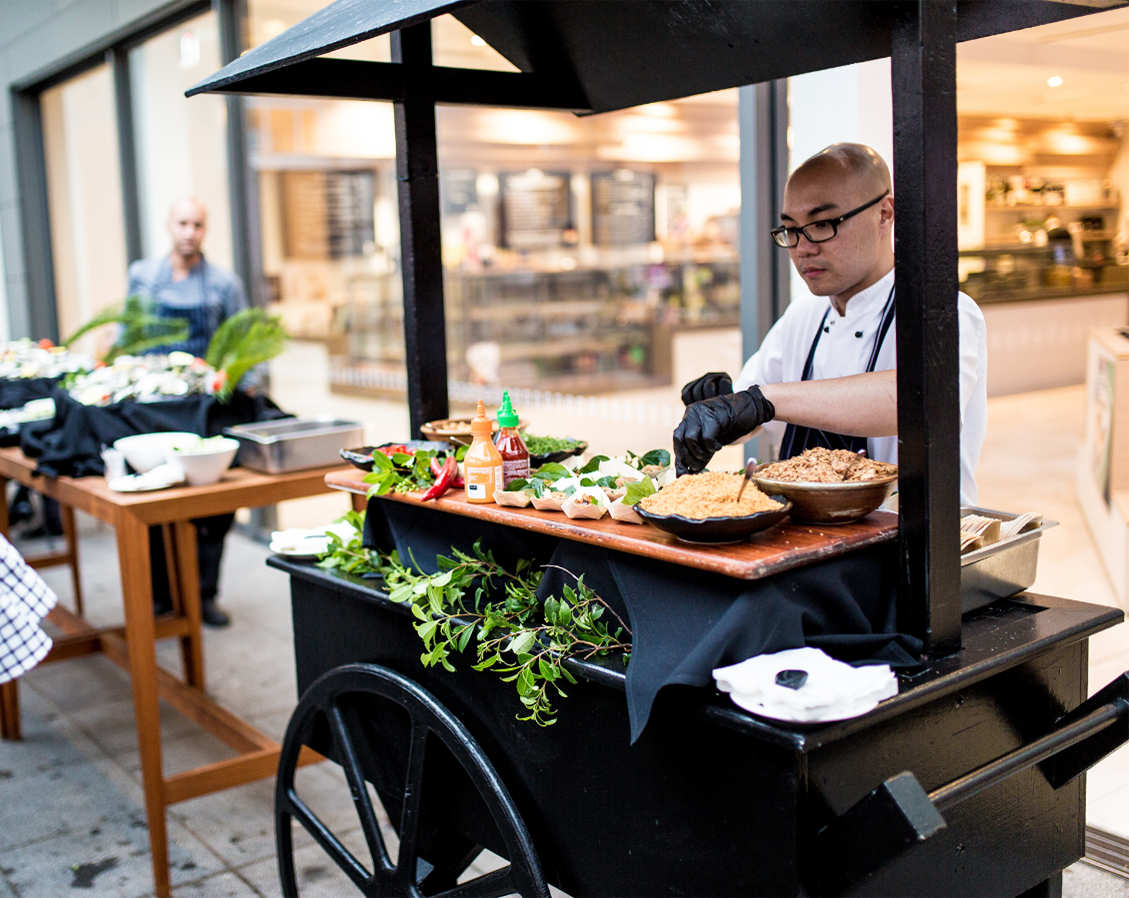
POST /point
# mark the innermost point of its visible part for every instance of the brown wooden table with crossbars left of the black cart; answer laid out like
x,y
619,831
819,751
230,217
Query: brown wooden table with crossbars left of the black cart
x,y
134,646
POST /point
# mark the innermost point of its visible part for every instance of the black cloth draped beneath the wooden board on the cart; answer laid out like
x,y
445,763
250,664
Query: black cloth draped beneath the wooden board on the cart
x,y
685,623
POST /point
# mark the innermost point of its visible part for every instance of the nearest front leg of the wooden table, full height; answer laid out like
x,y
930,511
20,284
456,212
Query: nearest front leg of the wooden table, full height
x,y
141,635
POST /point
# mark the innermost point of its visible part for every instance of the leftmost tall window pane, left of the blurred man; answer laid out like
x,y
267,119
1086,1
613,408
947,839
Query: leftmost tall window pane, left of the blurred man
x,y
85,197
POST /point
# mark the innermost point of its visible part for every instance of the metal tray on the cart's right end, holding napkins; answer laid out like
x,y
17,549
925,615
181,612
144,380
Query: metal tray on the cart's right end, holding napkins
x,y
1002,570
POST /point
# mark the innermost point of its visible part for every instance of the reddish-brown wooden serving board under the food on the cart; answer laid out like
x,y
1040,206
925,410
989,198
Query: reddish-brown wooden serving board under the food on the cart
x,y
780,548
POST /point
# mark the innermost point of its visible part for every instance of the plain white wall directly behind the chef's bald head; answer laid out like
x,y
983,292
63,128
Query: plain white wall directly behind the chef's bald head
x,y
847,104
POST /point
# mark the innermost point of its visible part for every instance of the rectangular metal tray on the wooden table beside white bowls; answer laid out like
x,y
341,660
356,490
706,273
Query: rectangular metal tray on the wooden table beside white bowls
x,y
295,443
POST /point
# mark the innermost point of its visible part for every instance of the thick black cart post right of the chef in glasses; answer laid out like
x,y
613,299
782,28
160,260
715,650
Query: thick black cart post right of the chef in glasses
x,y
924,75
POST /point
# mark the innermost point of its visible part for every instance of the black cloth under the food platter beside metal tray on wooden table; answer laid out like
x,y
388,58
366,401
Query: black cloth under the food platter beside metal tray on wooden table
x,y
72,442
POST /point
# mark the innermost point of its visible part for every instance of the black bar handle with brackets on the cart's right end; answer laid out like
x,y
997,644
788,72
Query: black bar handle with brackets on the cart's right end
x,y
900,815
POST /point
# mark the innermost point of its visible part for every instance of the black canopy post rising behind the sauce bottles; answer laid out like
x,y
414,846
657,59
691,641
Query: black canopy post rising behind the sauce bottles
x,y
421,249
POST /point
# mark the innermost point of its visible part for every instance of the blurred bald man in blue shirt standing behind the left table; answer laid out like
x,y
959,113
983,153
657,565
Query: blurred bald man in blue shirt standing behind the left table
x,y
185,285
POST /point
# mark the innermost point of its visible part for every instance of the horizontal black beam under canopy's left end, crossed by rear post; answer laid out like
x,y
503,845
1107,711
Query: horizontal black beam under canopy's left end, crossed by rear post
x,y
361,80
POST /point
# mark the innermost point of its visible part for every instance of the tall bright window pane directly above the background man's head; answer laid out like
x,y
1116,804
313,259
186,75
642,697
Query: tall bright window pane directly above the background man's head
x,y
181,143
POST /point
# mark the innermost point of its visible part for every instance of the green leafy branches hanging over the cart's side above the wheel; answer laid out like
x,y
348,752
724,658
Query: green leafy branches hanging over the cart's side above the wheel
x,y
472,597
